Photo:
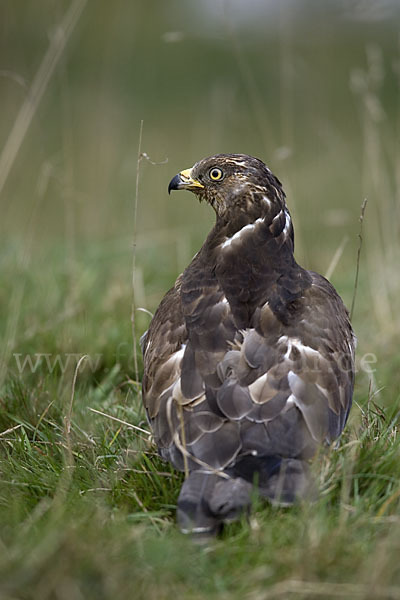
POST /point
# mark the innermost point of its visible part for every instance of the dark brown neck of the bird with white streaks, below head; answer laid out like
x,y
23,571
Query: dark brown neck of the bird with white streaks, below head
x,y
252,258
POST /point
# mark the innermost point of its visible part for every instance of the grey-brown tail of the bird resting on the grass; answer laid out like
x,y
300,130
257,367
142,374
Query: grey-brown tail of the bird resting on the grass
x,y
209,499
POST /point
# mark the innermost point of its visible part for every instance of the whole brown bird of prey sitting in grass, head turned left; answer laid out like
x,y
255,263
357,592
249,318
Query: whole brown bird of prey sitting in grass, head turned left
x,y
249,359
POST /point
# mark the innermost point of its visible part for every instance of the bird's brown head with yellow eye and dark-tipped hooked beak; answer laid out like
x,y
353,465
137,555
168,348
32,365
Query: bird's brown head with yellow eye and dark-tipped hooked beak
x,y
231,183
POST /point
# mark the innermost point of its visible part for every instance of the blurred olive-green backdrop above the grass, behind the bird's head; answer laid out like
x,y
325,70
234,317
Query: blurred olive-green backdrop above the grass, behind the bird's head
x,y
312,88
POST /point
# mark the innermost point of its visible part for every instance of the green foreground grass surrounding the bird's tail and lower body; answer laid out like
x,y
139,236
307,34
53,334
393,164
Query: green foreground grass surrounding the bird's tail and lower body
x,y
90,513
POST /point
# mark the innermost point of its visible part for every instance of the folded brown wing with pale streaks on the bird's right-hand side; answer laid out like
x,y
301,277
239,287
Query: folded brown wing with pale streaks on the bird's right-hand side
x,y
313,359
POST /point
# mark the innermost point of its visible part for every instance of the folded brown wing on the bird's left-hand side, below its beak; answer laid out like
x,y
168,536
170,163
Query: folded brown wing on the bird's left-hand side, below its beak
x,y
179,368
